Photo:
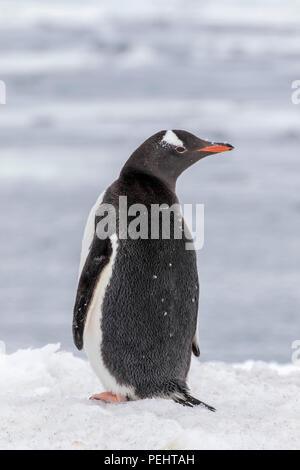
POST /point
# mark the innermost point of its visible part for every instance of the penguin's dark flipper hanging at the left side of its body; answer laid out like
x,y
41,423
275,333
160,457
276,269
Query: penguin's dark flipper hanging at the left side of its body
x,y
99,255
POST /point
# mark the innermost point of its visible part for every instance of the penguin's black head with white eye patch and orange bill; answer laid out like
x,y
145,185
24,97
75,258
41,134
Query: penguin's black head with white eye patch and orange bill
x,y
168,153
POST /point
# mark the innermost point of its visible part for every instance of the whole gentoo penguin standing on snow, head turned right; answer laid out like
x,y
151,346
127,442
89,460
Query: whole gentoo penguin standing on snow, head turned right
x,y
137,300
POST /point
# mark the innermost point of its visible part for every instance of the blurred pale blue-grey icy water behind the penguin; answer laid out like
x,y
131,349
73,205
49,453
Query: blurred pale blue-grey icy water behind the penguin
x,y
87,82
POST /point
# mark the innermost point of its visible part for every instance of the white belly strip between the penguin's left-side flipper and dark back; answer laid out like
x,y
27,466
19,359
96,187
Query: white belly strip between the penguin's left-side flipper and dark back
x,y
92,335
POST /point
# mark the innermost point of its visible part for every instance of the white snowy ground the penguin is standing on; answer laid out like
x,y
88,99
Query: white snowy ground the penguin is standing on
x,y
44,405
